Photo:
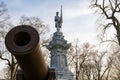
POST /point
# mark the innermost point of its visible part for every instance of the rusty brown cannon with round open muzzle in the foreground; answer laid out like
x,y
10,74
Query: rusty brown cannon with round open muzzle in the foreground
x,y
23,42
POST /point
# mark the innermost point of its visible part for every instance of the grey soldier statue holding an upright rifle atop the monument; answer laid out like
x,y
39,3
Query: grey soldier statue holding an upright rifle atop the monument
x,y
58,20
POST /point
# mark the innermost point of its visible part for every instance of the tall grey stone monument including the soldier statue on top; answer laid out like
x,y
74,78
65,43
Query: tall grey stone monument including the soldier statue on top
x,y
58,49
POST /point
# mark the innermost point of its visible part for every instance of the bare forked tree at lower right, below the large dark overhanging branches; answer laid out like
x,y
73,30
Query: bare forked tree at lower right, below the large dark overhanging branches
x,y
102,69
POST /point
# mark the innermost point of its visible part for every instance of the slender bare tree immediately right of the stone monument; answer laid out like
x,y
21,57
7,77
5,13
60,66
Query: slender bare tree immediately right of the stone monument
x,y
73,59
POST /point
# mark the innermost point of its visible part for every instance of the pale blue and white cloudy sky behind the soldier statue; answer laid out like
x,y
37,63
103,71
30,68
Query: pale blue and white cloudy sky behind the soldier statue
x,y
78,19
